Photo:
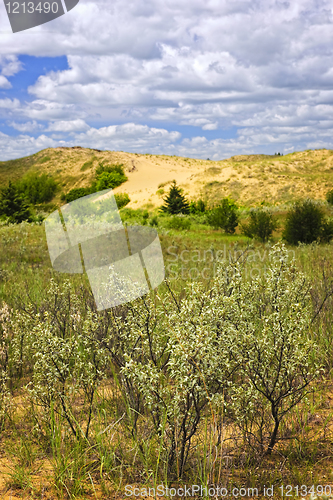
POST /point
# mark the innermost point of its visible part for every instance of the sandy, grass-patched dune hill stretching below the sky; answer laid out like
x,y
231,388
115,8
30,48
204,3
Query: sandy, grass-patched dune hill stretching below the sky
x,y
249,179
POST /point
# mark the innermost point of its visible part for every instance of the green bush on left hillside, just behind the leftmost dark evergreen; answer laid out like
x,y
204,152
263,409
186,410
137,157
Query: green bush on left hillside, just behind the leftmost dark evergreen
x,y
37,188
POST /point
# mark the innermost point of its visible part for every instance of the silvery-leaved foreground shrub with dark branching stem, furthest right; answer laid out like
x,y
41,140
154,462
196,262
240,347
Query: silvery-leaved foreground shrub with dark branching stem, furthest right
x,y
271,315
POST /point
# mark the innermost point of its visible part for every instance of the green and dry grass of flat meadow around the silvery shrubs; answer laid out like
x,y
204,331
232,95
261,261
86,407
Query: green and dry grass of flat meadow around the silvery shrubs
x,y
113,456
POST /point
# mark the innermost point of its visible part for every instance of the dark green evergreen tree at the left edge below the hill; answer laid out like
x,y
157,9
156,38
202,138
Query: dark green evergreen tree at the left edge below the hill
x,y
13,205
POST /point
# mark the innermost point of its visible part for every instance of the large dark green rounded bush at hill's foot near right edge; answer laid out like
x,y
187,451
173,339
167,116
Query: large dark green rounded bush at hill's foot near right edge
x,y
304,223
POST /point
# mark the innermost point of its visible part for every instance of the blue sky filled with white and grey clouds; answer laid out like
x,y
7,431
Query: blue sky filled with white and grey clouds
x,y
199,78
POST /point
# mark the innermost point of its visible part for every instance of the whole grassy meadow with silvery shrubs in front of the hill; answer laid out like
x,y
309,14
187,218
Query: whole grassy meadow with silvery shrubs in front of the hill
x,y
221,376
